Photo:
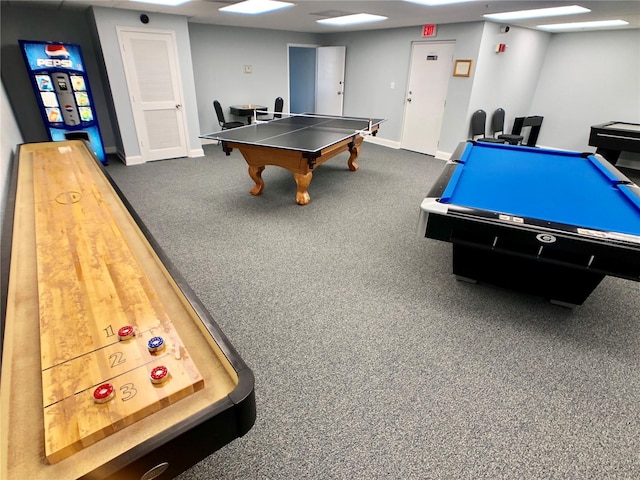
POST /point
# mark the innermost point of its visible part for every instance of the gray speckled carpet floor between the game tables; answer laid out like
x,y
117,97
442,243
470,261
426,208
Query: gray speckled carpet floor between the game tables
x,y
371,360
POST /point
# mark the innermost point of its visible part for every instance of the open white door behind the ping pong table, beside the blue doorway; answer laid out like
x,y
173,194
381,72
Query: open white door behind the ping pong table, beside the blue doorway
x,y
330,80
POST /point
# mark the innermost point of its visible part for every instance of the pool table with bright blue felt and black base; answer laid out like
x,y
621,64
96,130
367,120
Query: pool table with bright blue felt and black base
x,y
548,222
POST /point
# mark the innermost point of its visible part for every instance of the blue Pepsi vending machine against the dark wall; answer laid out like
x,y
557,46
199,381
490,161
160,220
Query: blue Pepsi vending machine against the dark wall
x,y
61,85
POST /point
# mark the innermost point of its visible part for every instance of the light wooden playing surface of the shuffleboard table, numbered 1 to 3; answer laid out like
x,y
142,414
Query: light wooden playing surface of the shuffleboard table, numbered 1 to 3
x,y
90,285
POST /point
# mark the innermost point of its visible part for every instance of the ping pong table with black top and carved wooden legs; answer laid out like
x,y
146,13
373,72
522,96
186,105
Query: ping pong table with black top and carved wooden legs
x,y
298,143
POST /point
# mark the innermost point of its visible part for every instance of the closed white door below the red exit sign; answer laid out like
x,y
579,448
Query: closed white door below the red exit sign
x,y
431,68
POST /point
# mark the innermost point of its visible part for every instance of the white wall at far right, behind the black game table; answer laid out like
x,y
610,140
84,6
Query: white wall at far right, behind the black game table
x,y
587,79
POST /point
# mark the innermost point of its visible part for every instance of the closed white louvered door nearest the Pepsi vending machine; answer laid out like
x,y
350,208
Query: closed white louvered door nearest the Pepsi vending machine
x,y
150,59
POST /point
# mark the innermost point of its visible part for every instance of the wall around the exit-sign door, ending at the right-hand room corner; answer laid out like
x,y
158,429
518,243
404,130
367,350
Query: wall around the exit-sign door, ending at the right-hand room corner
x,y
507,80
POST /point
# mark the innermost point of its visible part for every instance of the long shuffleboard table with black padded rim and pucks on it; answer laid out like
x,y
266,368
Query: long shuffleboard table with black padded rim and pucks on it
x,y
111,368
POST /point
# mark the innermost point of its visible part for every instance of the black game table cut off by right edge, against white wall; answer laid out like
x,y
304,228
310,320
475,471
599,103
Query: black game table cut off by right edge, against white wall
x,y
613,138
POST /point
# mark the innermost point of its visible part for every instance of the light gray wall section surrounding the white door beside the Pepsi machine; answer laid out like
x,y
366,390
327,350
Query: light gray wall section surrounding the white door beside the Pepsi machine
x,y
106,21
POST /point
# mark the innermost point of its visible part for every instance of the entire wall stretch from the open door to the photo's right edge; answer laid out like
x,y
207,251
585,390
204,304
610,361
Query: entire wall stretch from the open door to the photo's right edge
x,y
573,80
